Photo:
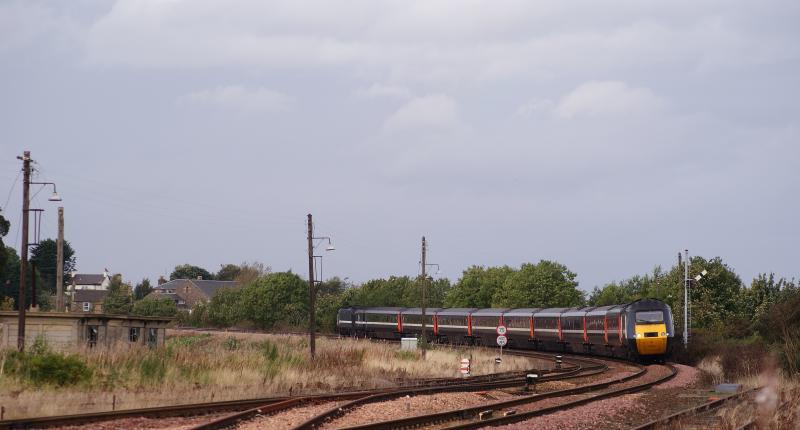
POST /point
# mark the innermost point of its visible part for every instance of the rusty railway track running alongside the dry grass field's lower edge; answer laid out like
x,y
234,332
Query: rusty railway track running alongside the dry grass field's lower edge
x,y
244,409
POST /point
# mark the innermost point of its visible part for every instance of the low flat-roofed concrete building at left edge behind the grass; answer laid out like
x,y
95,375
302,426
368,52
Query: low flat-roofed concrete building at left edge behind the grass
x,y
63,330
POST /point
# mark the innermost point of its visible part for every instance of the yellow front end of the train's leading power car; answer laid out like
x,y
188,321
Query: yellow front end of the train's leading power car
x,y
651,328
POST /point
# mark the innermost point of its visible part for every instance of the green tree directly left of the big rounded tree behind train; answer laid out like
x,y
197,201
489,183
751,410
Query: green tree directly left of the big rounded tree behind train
x,y
477,286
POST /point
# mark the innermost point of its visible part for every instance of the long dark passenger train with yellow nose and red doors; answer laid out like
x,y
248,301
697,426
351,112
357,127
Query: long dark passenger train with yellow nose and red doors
x,y
642,330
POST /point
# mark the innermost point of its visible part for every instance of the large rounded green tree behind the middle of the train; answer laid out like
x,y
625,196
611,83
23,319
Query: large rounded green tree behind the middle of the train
x,y
545,284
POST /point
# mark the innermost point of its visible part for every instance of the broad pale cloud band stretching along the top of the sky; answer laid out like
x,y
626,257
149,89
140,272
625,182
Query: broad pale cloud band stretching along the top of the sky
x,y
446,42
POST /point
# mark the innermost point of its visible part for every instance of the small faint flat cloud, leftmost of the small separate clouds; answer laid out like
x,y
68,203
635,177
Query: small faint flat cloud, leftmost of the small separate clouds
x,y
235,97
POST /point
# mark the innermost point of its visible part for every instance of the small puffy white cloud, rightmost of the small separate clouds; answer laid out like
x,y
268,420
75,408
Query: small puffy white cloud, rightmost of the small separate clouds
x,y
605,98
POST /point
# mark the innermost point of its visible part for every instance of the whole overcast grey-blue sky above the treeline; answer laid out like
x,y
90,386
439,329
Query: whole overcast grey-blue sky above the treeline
x,y
607,136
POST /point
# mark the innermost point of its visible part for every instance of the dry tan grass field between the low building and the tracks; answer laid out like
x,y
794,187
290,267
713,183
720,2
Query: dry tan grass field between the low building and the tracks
x,y
200,367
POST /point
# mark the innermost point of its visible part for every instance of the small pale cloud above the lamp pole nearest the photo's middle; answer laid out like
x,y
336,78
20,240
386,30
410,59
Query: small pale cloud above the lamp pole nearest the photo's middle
x,y
432,112
